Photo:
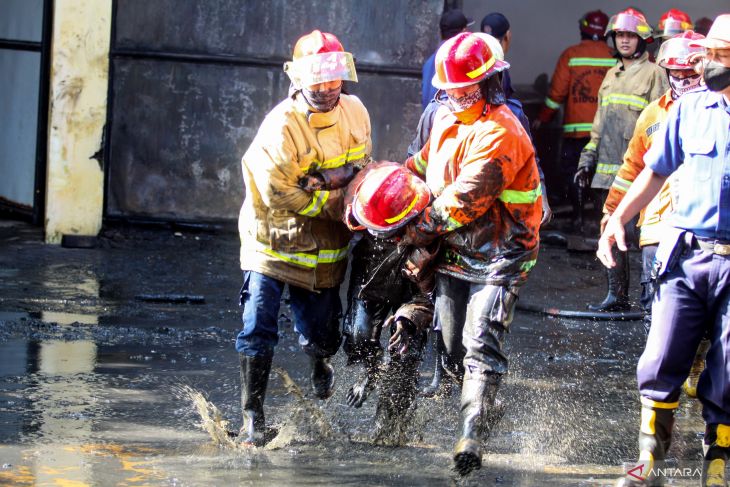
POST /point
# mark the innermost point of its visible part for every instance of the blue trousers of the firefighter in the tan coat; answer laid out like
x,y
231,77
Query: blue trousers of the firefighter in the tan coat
x,y
316,317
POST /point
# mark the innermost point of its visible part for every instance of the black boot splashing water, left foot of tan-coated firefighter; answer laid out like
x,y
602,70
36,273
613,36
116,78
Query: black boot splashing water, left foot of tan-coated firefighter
x,y
254,379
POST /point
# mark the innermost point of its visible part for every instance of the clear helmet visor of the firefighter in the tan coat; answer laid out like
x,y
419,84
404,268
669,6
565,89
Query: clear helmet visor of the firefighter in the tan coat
x,y
321,68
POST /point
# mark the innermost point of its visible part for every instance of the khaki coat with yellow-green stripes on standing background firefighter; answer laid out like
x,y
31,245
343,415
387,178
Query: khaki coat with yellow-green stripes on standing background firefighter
x,y
621,98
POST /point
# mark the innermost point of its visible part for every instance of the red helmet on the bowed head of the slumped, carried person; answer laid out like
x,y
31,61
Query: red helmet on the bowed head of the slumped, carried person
x,y
388,197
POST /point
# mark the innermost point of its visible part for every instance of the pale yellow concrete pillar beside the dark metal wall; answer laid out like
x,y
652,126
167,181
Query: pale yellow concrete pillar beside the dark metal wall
x,y
78,101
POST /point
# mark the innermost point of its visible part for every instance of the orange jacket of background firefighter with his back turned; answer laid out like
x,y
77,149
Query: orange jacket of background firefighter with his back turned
x,y
578,75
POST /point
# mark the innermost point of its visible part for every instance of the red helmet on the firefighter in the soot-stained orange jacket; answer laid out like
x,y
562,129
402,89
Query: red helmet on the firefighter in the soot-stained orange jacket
x,y
464,60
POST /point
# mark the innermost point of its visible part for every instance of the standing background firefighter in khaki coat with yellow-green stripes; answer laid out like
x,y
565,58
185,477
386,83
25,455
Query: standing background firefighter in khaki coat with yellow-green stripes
x,y
626,90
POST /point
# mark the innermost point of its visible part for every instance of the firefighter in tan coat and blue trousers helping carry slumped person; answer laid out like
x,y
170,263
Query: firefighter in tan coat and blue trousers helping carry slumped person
x,y
290,223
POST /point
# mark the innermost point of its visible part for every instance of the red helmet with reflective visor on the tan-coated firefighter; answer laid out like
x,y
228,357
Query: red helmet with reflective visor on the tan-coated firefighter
x,y
319,57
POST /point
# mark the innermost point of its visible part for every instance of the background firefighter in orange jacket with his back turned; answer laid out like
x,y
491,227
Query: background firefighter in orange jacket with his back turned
x,y
575,82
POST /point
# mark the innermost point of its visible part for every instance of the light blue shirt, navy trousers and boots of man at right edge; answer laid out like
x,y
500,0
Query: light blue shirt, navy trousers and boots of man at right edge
x,y
692,268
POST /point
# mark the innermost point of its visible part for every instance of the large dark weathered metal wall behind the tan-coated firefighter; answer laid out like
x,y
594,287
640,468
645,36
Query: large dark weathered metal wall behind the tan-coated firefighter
x,y
192,81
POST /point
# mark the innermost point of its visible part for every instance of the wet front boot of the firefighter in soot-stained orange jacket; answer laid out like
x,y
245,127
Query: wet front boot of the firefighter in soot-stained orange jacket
x,y
477,397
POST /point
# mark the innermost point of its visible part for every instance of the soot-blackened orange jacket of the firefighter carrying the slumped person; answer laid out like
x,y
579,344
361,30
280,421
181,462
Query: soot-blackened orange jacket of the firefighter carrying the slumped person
x,y
480,167
